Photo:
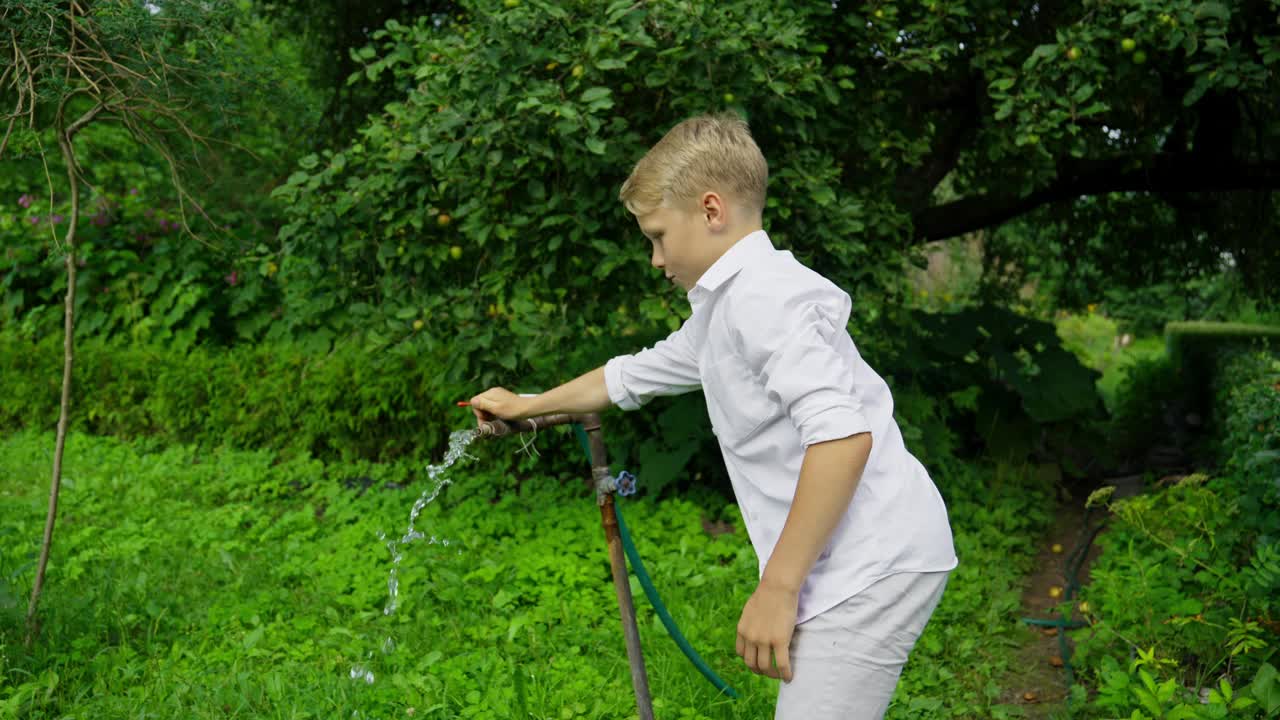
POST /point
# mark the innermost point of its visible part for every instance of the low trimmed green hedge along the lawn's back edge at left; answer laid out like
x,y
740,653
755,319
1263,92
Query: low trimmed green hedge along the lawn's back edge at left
x,y
345,404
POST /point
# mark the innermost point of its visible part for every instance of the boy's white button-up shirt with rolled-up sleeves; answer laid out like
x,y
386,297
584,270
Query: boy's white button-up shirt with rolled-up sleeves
x,y
769,345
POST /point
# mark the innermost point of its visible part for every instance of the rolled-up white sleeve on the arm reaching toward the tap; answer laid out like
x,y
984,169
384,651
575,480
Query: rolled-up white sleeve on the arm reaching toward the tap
x,y
668,368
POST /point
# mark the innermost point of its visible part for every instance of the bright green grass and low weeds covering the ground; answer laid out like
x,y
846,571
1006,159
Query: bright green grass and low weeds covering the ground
x,y
190,584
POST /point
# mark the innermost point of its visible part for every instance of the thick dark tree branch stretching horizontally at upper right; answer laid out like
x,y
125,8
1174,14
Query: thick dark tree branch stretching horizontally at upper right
x,y
1163,174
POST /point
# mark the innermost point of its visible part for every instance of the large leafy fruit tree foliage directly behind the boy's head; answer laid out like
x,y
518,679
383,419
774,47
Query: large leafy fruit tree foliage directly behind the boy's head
x,y
486,203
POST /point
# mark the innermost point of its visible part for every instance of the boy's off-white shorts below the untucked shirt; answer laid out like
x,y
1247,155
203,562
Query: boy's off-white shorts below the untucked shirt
x,y
845,663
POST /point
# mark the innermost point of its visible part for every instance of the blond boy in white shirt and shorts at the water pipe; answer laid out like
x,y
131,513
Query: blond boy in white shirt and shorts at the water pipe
x,y
852,535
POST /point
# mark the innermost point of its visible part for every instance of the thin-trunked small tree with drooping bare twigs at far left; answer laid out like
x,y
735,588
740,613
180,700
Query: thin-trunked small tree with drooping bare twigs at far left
x,y
66,66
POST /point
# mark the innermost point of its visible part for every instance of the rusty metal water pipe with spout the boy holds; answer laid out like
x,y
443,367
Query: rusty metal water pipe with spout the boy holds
x,y
605,487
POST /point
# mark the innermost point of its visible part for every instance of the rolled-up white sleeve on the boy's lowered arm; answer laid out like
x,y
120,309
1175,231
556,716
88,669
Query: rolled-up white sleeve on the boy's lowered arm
x,y
796,352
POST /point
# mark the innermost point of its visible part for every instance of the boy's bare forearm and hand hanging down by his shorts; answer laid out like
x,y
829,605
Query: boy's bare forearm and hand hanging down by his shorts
x,y
829,479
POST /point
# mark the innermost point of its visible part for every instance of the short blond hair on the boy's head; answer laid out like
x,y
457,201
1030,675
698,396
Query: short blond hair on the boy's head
x,y
708,153
